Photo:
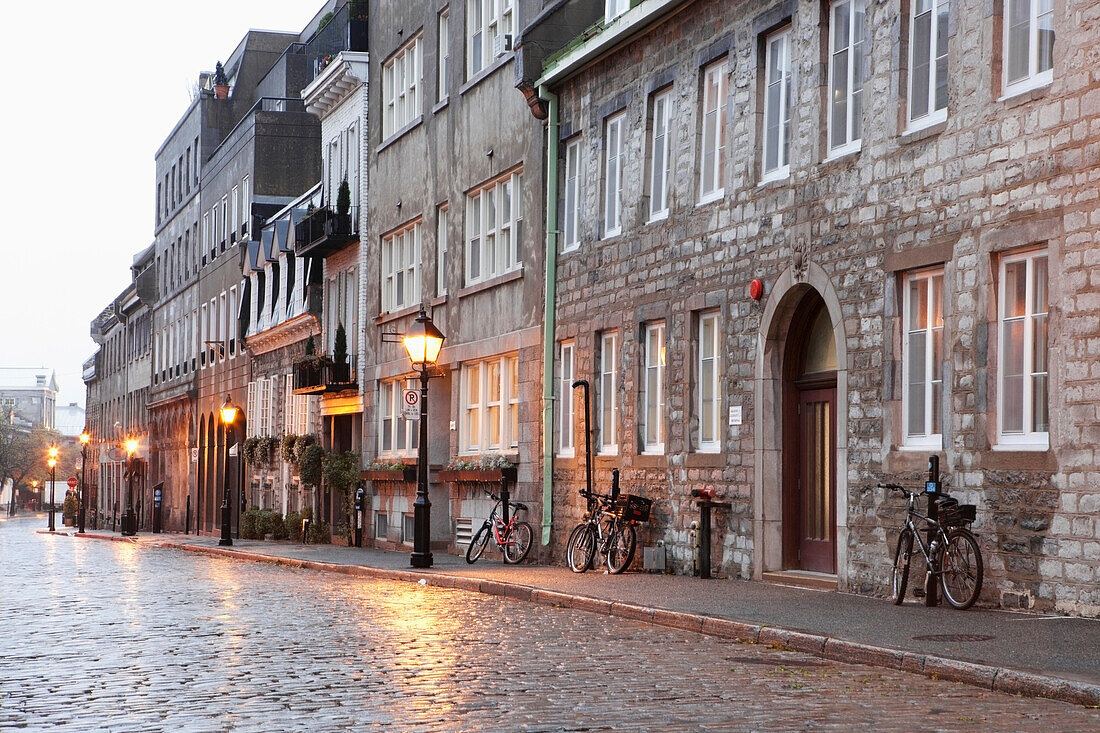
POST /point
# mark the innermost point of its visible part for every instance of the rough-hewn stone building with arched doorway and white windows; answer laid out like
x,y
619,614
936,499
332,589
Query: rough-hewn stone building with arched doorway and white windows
x,y
801,247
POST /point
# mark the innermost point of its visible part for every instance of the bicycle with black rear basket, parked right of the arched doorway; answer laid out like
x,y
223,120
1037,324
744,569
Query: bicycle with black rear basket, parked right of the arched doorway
x,y
953,556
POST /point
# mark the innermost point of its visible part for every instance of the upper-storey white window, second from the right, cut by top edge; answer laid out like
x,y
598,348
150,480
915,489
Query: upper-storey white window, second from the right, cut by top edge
x,y
928,65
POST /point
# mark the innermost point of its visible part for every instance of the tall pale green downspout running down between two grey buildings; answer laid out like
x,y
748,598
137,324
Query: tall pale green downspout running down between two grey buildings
x,y
548,315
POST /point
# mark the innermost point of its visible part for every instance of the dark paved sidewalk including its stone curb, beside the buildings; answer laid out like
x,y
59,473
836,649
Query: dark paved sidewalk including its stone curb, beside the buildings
x,y
1055,658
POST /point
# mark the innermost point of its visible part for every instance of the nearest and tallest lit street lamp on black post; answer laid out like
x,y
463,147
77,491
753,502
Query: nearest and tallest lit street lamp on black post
x,y
423,344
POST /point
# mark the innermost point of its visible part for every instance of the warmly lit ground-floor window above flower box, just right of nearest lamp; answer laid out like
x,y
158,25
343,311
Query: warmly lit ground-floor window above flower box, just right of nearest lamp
x,y
491,406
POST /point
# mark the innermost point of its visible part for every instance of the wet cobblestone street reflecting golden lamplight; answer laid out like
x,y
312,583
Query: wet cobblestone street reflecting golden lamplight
x,y
109,637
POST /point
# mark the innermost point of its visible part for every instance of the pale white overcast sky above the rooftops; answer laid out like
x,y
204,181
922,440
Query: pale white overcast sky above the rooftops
x,y
94,90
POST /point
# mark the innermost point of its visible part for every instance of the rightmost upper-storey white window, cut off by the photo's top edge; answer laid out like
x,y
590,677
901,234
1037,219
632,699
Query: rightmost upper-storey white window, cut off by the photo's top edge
x,y
1029,45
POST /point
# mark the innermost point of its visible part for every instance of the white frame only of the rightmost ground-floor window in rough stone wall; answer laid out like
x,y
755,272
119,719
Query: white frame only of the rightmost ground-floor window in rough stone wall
x,y
1033,323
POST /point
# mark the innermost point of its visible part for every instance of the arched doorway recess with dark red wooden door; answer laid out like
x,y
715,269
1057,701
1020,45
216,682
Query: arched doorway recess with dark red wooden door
x,y
810,455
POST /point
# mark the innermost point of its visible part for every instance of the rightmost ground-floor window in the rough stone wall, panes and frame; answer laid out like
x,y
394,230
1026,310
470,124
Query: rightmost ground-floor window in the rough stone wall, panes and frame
x,y
1024,351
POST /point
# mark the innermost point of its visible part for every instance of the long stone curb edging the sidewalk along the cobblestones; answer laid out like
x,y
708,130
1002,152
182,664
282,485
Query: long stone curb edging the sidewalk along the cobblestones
x,y
992,679
